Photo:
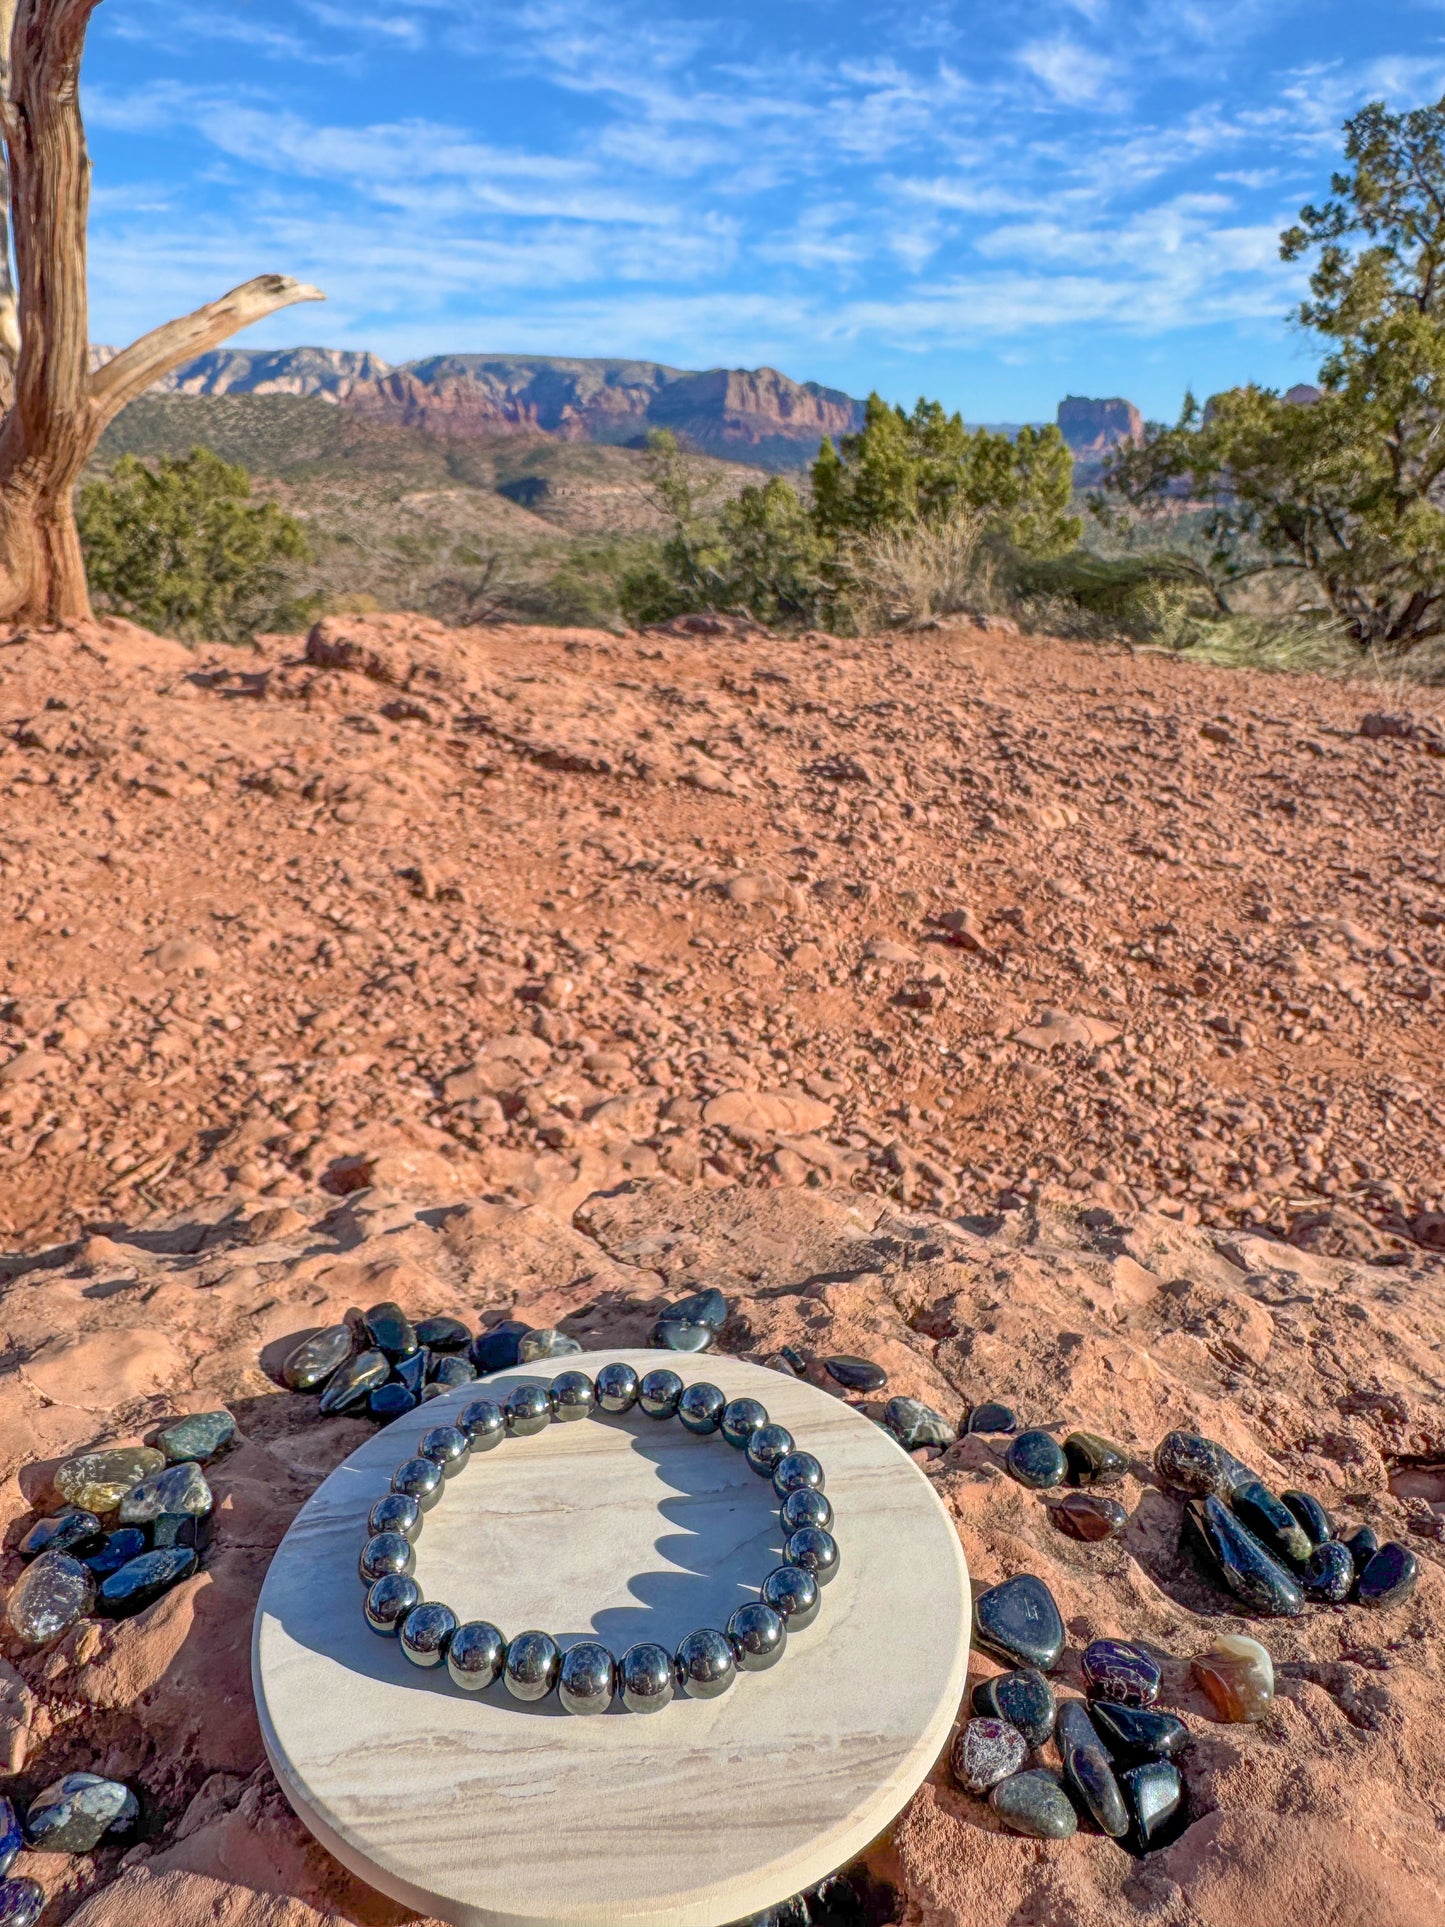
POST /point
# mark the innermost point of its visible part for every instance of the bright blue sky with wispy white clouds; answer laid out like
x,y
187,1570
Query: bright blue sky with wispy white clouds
x,y
989,205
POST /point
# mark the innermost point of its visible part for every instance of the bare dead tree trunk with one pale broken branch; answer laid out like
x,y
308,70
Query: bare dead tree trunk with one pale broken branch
x,y
61,409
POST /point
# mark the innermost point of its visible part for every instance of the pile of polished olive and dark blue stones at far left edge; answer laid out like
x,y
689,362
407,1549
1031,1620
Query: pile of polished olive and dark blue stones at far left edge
x,y
136,1525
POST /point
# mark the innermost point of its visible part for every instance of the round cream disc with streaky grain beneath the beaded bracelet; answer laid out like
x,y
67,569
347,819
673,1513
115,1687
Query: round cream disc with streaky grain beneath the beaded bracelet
x,y
490,1814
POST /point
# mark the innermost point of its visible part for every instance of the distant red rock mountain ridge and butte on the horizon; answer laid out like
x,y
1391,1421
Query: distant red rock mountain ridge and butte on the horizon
x,y
750,415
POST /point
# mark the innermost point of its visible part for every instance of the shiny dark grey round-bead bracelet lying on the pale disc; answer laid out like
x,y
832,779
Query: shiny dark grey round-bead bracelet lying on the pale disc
x,y
587,1676
